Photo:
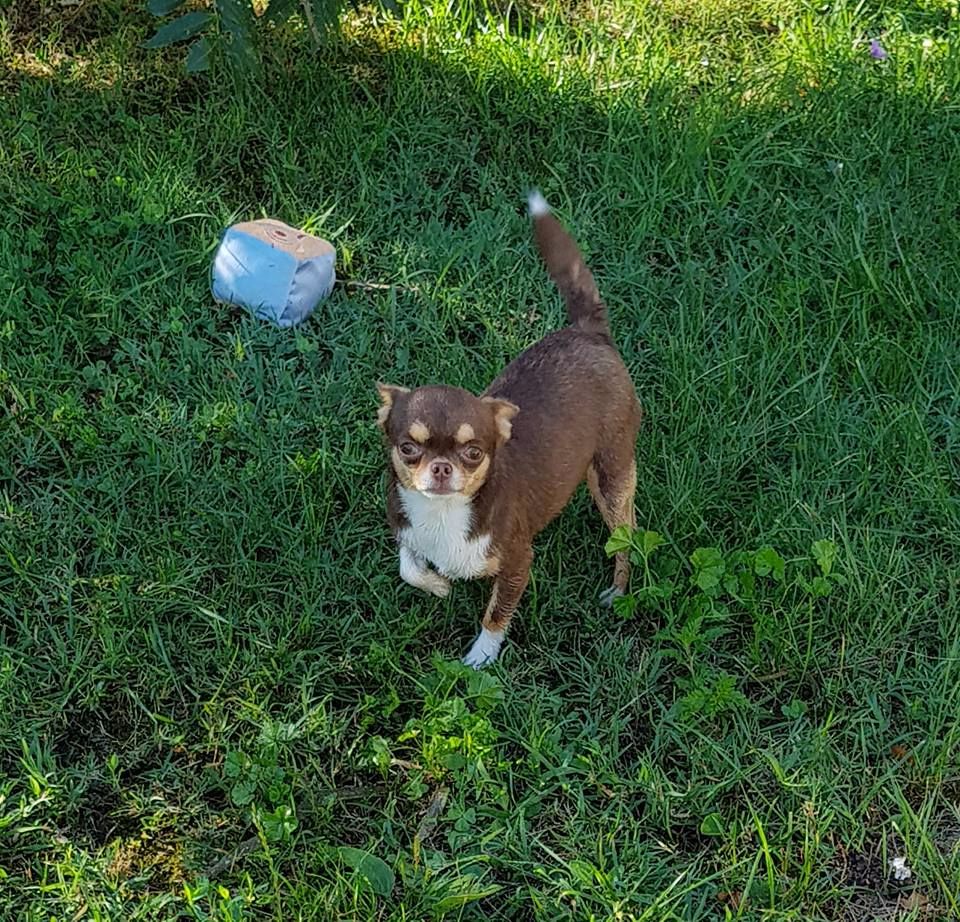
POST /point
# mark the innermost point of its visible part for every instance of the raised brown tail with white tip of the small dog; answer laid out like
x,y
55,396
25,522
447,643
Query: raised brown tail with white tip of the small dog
x,y
570,274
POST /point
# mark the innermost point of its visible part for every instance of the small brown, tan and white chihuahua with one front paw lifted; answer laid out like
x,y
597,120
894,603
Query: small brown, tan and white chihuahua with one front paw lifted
x,y
472,480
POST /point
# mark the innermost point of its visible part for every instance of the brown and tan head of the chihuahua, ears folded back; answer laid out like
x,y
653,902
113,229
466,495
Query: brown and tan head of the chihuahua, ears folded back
x,y
443,439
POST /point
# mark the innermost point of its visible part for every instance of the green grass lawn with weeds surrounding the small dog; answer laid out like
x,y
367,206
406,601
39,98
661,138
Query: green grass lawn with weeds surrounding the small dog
x,y
217,699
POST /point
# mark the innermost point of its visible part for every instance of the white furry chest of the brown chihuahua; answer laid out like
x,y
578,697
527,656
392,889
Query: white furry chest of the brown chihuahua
x,y
439,532
